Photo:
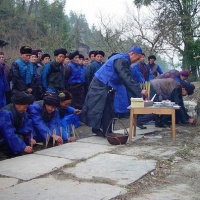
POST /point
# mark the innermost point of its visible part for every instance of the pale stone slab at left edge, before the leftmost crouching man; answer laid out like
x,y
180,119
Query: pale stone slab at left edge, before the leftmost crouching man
x,y
31,166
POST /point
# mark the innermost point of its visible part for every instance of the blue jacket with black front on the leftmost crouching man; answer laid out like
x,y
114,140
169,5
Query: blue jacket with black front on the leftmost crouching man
x,y
13,124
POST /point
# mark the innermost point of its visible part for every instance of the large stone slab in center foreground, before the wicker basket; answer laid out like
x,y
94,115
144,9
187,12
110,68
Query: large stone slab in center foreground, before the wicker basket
x,y
117,169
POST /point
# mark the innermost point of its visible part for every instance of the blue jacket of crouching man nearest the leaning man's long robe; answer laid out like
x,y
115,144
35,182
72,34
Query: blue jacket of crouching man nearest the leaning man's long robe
x,y
67,119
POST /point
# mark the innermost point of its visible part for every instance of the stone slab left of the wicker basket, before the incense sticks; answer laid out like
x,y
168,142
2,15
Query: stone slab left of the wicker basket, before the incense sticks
x,y
76,150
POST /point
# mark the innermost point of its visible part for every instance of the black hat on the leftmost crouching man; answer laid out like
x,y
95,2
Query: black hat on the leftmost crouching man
x,y
22,98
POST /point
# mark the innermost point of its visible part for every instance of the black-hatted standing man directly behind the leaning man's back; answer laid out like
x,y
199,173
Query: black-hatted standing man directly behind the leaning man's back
x,y
94,67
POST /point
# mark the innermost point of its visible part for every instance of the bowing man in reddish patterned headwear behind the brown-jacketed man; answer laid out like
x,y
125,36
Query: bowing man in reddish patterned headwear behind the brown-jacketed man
x,y
176,75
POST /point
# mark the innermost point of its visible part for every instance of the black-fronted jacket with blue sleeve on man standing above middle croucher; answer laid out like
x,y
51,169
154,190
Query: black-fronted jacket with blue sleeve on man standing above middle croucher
x,y
53,77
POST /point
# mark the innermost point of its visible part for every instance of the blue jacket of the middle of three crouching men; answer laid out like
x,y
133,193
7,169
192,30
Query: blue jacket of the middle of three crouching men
x,y
42,128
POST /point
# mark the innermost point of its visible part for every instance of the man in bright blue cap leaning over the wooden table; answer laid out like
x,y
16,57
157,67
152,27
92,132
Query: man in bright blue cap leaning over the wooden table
x,y
98,109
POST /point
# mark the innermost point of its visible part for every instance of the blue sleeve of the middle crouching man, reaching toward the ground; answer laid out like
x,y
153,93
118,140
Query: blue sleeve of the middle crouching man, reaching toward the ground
x,y
39,125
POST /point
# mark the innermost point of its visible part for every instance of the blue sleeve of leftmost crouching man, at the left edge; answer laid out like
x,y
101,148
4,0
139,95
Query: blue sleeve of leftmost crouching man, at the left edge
x,y
8,131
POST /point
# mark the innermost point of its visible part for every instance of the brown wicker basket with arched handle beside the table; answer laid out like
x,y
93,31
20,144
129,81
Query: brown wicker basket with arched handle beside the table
x,y
117,138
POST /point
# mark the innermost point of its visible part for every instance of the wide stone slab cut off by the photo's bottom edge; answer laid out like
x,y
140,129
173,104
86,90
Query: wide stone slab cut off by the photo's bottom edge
x,y
51,188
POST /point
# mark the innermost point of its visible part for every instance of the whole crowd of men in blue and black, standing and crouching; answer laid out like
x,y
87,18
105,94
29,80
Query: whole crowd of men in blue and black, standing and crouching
x,y
43,99
